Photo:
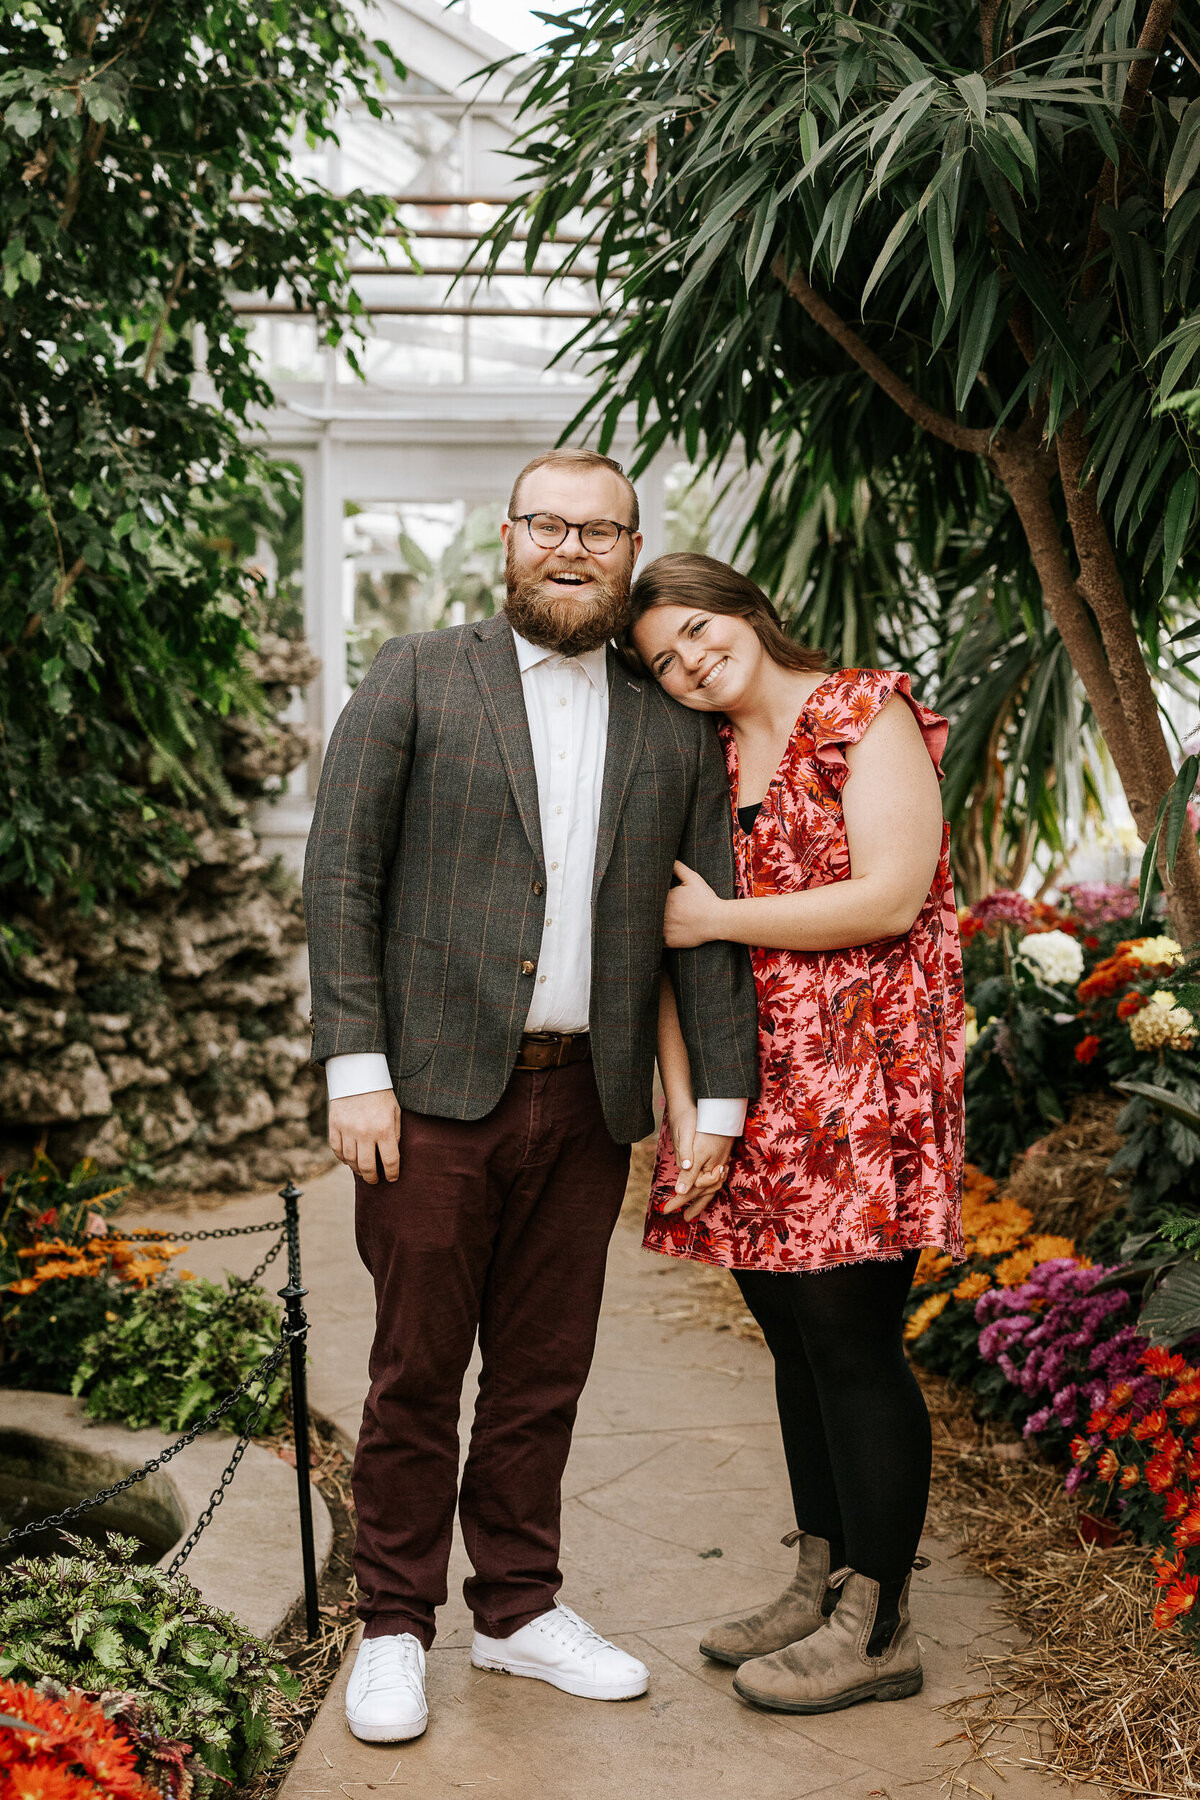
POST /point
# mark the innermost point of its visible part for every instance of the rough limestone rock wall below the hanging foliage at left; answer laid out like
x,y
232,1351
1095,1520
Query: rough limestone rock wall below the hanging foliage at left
x,y
170,1036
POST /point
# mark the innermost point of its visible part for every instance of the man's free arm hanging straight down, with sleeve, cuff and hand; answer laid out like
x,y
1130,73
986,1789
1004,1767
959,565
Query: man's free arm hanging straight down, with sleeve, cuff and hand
x,y
346,867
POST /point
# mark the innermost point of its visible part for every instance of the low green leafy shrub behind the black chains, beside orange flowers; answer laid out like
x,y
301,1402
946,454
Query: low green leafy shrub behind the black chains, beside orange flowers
x,y
179,1351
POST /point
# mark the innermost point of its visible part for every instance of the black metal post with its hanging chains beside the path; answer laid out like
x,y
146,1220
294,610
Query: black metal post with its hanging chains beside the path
x,y
292,1344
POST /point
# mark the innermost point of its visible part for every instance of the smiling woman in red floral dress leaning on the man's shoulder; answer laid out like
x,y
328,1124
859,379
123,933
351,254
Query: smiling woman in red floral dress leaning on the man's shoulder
x,y
854,1151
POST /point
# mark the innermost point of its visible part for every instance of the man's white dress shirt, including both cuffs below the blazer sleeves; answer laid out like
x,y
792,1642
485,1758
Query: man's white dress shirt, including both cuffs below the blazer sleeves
x,y
568,710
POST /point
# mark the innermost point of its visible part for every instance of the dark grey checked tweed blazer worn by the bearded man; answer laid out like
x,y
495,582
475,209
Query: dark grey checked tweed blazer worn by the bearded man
x,y
425,883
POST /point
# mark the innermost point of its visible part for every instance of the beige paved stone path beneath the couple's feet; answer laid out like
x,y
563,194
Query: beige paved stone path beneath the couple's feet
x,y
676,1502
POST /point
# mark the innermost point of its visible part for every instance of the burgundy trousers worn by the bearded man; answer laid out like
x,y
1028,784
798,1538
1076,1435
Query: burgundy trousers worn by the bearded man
x,y
501,1228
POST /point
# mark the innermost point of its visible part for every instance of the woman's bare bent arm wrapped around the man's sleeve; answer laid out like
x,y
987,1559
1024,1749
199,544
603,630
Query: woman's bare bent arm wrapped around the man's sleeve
x,y
893,829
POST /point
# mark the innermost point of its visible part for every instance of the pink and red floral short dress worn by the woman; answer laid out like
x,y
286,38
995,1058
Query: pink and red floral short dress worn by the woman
x,y
854,1149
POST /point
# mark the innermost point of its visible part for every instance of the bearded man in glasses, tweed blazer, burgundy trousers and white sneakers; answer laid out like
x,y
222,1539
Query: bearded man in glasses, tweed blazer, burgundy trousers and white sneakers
x,y
492,849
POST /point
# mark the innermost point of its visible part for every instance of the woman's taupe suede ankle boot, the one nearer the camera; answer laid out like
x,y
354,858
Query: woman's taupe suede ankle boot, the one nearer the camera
x,y
830,1669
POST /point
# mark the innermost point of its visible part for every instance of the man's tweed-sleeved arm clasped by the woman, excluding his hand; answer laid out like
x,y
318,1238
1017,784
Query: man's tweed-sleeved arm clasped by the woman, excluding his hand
x,y
715,984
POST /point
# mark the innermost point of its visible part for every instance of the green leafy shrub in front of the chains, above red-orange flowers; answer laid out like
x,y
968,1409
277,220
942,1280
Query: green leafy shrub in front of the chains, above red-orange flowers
x,y
96,1621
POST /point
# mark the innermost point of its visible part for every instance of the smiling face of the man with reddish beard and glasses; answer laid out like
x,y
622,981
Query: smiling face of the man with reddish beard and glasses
x,y
569,598
